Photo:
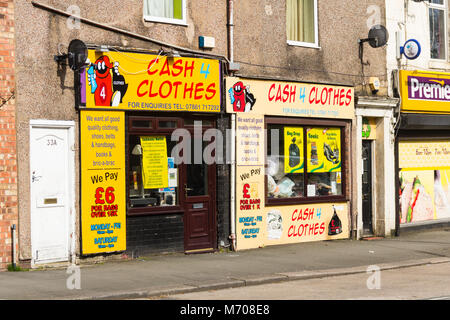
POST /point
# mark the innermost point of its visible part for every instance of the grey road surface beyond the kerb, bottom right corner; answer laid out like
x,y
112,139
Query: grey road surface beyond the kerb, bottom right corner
x,y
430,281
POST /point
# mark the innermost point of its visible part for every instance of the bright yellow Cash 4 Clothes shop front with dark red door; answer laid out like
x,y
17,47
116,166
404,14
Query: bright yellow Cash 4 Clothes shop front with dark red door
x,y
147,184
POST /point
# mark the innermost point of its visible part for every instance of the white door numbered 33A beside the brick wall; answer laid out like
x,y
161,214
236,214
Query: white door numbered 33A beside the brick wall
x,y
51,170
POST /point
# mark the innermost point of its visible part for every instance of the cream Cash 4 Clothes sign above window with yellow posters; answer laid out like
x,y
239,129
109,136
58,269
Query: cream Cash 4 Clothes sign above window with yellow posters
x,y
290,99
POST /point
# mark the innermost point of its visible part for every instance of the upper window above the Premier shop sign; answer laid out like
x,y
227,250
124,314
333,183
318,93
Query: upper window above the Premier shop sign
x,y
438,31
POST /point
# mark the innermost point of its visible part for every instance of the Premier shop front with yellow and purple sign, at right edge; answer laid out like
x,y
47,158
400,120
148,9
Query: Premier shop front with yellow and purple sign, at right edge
x,y
424,149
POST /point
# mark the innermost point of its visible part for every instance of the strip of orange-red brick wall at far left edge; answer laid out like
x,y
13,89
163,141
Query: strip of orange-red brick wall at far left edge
x,y
8,164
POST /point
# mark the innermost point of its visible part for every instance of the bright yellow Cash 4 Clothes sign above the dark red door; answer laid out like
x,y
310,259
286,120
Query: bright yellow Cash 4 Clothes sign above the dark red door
x,y
136,81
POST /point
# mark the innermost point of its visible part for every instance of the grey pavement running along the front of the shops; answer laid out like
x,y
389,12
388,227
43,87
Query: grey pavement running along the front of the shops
x,y
162,275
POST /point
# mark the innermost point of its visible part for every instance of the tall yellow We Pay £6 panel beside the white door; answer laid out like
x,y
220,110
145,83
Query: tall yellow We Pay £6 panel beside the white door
x,y
103,193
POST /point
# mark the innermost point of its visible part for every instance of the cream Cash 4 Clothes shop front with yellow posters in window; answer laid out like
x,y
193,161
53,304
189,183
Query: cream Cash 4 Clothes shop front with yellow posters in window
x,y
292,165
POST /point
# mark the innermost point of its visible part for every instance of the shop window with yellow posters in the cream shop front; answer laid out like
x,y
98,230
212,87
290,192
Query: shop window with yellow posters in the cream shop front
x,y
303,163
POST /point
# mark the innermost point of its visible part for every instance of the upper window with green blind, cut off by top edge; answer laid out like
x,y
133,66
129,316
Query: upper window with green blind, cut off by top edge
x,y
166,11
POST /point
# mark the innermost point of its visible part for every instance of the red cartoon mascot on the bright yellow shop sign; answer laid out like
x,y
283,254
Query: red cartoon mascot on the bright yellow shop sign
x,y
106,82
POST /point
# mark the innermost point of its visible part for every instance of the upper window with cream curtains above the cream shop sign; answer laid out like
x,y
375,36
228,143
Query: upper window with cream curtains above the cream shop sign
x,y
301,22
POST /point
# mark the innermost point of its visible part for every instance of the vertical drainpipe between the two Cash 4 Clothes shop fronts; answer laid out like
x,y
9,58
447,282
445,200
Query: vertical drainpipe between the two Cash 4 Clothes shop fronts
x,y
233,135
